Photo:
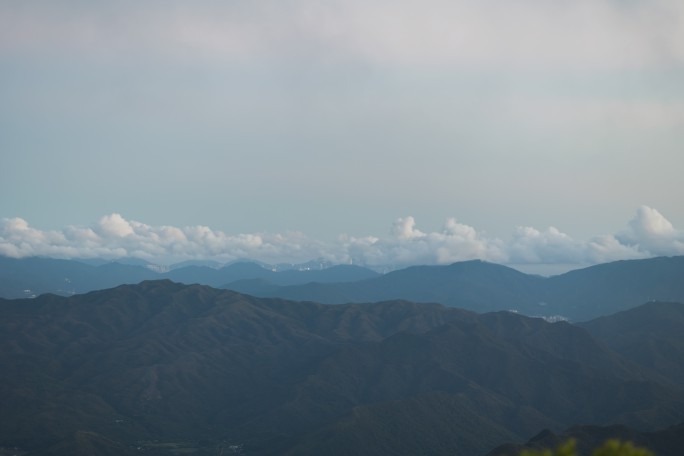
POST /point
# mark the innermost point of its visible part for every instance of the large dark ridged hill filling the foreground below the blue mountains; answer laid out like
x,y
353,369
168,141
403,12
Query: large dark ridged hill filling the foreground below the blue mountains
x,y
171,368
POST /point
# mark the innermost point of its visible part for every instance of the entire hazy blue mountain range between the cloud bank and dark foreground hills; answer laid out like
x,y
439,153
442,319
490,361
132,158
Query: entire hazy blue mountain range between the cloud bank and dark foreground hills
x,y
474,285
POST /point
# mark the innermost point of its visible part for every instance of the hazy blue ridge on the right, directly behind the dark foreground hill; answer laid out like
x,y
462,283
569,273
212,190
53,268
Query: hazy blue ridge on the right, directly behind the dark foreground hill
x,y
482,287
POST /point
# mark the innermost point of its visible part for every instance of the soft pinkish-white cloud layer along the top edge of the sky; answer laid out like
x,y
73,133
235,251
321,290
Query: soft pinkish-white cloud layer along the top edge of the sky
x,y
579,34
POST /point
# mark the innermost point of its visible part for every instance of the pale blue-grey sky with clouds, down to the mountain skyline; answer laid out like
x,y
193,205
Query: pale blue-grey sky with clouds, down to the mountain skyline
x,y
537,133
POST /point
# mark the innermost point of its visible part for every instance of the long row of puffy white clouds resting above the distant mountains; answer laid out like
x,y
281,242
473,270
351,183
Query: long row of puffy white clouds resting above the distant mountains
x,y
647,234
